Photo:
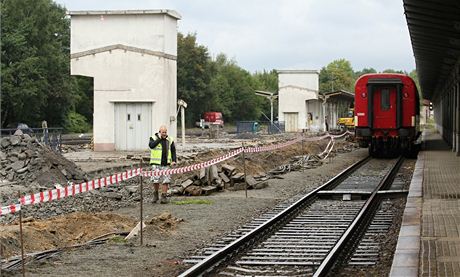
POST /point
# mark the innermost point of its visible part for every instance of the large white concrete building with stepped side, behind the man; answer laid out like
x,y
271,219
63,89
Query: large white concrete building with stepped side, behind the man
x,y
132,57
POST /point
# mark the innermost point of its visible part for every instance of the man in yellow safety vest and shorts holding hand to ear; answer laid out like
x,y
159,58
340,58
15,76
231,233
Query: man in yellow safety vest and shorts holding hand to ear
x,y
162,156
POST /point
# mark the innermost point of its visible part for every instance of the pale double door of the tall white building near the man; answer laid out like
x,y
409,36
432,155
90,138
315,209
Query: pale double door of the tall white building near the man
x,y
133,125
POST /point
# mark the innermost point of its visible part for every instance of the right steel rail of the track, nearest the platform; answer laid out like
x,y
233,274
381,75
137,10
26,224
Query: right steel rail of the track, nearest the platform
x,y
328,263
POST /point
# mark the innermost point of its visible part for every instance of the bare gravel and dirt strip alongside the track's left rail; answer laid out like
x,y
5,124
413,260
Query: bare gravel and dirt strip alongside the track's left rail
x,y
165,247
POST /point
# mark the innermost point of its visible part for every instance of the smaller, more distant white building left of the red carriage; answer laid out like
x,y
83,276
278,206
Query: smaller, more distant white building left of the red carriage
x,y
298,103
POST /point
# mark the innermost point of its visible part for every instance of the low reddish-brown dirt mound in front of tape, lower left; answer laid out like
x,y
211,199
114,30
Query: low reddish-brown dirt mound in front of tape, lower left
x,y
61,231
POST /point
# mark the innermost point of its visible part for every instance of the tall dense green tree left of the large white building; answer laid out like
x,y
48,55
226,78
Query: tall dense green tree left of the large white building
x,y
35,62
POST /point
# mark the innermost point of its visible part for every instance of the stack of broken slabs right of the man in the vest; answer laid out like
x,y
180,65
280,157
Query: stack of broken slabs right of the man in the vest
x,y
213,178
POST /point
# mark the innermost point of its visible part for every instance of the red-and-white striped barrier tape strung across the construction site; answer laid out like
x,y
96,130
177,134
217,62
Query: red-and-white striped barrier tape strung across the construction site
x,y
74,189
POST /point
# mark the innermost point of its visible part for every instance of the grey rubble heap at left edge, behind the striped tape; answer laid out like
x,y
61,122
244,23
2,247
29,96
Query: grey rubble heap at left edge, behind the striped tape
x,y
28,166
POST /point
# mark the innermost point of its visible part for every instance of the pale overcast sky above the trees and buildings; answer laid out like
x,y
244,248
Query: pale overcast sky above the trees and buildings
x,y
288,34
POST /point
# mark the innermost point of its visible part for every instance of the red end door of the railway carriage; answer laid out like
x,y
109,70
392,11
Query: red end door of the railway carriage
x,y
384,108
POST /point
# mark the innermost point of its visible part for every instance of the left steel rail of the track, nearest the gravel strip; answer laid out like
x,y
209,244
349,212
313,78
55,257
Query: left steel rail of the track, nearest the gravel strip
x,y
211,261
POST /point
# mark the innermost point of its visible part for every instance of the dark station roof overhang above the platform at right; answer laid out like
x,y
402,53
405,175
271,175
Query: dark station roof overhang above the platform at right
x,y
434,28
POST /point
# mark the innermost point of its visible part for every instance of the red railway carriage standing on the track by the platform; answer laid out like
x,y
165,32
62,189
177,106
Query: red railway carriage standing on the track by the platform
x,y
387,114
